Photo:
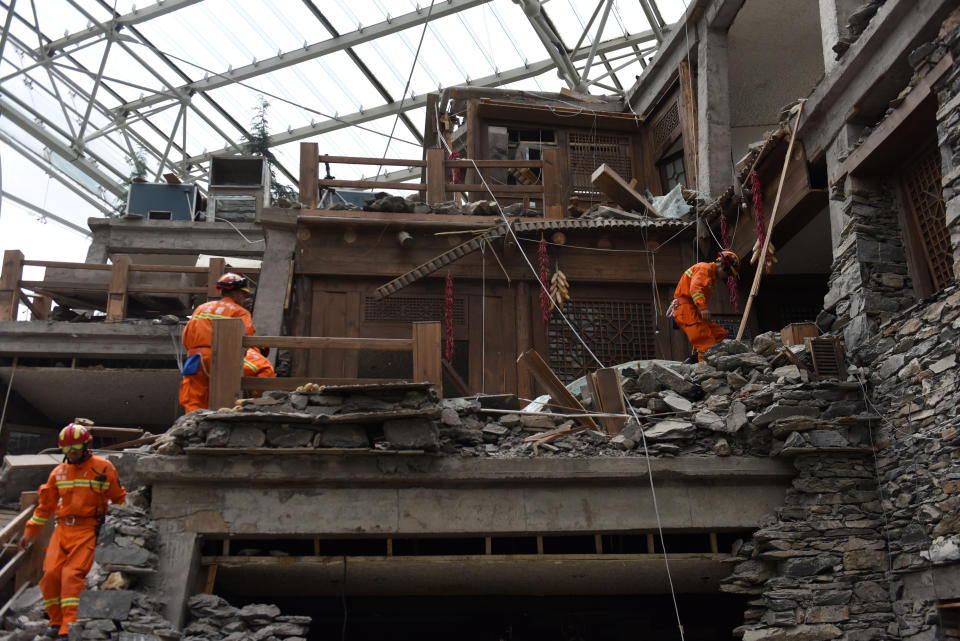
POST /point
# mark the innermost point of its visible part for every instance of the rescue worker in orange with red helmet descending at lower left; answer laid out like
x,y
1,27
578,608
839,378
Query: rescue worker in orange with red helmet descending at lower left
x,y
77,491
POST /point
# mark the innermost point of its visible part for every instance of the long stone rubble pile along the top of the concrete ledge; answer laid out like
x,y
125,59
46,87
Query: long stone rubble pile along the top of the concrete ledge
x,y
734,403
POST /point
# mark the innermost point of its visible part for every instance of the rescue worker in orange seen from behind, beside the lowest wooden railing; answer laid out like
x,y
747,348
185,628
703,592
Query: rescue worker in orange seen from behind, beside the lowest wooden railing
x,y
198,334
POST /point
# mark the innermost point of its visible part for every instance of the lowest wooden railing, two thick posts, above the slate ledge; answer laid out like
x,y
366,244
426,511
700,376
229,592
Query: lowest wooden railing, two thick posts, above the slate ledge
x,y
229,344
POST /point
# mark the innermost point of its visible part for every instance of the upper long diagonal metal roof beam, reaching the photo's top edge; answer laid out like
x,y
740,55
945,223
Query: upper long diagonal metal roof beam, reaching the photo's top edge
x,y
316,50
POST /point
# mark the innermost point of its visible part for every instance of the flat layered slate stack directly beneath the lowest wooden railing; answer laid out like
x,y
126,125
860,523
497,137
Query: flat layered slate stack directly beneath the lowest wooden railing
x,y
389,417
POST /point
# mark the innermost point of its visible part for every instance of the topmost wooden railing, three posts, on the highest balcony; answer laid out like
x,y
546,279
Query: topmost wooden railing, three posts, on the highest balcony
x,y
437,185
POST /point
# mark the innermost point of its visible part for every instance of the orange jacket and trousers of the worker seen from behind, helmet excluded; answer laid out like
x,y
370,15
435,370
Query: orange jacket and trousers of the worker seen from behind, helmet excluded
x,y
197,335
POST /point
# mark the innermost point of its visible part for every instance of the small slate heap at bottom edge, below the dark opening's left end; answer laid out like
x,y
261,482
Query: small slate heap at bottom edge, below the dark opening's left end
x,y
211,618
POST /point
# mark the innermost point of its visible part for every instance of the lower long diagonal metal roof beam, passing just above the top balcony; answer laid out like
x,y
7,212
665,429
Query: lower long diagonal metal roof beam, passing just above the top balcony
x,y
495,80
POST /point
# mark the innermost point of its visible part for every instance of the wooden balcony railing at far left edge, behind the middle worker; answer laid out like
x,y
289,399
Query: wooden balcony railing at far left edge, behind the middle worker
x,y
115,291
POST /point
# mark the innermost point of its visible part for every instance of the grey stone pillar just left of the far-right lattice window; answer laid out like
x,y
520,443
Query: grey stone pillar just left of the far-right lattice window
x,y
869,281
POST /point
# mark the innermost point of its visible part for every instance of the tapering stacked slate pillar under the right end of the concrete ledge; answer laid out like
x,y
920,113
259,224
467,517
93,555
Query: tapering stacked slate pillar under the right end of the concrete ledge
x,y
818,568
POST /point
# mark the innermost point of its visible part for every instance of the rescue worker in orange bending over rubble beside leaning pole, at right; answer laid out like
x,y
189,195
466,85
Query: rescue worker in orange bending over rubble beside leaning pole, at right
x,y
692,295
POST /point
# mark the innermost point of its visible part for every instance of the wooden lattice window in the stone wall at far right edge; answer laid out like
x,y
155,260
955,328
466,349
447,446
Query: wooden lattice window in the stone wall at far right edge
x,y
923,194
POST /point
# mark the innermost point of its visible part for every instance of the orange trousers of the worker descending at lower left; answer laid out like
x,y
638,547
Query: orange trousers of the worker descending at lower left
x,y
69,557
